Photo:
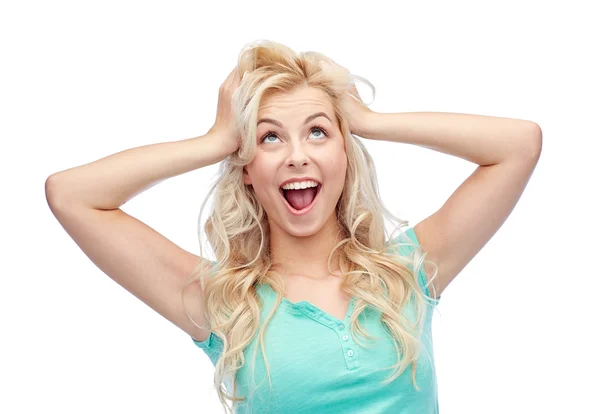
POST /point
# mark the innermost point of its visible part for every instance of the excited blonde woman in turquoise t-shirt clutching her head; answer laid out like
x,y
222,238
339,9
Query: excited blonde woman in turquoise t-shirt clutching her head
x,y
310,306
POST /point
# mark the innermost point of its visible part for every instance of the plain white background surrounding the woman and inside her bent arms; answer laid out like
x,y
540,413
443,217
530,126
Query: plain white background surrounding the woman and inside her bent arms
x,y
82,80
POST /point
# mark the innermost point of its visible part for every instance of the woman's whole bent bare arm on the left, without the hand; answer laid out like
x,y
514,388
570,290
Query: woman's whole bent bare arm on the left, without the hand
x,y
86,201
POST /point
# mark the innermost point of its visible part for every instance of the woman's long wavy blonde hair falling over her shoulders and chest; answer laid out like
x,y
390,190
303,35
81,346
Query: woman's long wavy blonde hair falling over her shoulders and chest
x,y
238,230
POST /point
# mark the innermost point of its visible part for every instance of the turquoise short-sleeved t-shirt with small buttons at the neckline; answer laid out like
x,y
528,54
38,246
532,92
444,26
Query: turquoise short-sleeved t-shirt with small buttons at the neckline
x,y
316,366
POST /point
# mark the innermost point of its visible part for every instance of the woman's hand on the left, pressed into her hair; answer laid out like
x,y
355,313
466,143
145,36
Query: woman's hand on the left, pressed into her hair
x,y
225,124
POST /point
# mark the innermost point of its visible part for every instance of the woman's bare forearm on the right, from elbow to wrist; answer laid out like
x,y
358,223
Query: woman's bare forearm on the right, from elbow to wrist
x,y
484,140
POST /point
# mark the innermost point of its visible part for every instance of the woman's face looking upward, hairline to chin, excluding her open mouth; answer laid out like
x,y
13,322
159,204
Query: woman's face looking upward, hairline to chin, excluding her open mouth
x,y
295,149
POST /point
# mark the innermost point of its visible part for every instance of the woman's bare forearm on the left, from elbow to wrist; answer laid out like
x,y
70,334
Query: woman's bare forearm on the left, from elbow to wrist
x,y
111,181
